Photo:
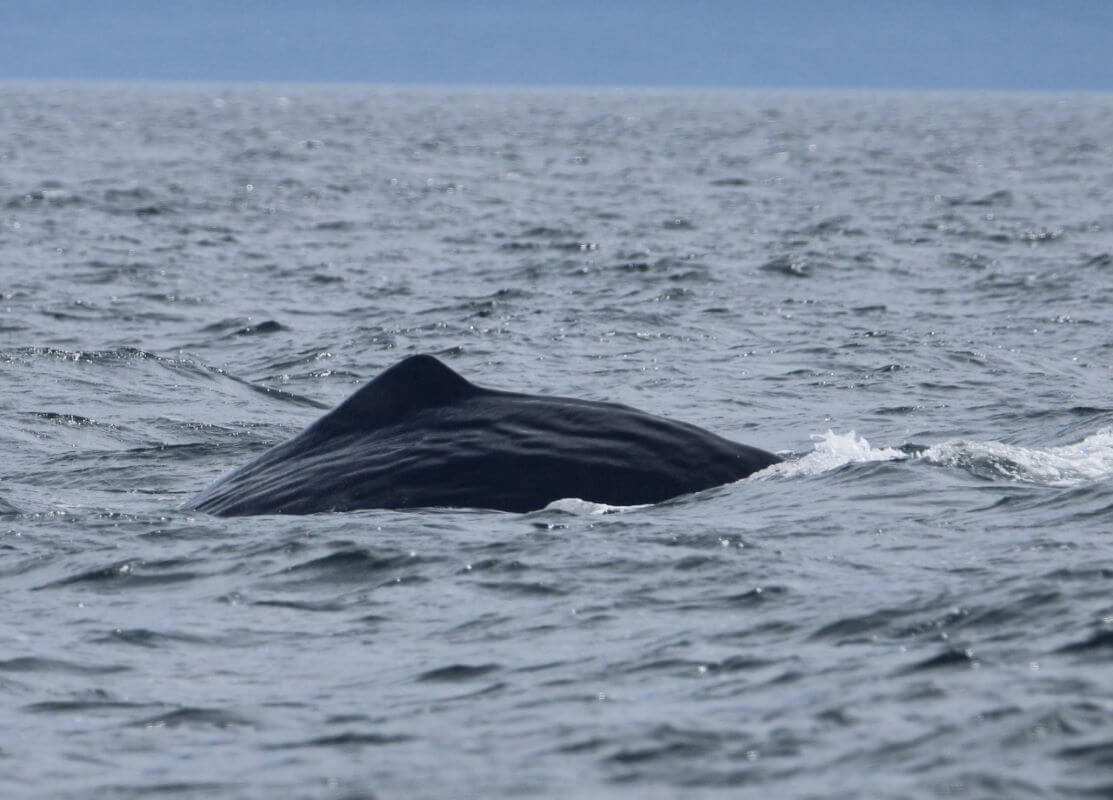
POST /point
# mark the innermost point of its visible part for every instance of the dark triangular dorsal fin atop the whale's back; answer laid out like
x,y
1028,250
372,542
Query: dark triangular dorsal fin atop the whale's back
x,y
415,383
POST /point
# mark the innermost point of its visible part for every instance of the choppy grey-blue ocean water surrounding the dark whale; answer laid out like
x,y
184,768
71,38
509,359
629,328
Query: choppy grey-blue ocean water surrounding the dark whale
x,y
908,295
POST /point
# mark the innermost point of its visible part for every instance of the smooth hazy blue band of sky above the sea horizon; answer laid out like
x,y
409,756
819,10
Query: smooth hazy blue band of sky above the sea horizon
x,y
1019,45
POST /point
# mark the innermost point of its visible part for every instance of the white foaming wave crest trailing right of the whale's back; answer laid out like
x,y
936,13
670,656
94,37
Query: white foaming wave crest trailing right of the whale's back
x,y
1066,466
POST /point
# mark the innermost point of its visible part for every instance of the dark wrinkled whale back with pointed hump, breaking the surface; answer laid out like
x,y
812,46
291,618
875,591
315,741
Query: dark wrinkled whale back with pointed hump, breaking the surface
x,y
422,437
